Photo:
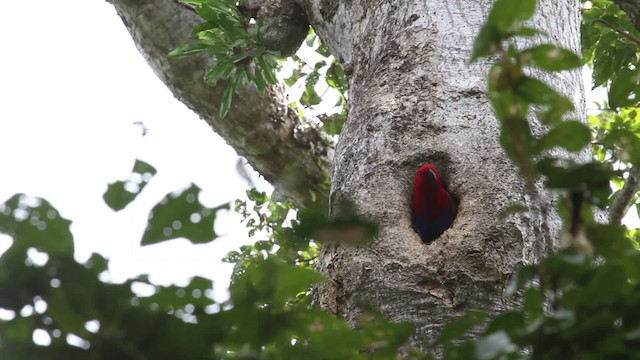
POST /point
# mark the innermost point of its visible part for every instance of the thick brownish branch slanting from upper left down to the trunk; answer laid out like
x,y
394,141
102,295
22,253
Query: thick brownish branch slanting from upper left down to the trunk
x,y
287,150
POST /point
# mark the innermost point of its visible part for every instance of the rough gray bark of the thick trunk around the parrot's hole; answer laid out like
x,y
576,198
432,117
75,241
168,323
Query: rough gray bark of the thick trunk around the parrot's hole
x,y
414,100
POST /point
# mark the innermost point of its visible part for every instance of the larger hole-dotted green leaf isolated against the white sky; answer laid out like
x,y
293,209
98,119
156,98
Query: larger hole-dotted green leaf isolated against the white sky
x,y
181,215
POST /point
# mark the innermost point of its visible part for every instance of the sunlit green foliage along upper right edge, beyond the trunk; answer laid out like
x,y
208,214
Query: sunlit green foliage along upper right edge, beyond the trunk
x,y
610,48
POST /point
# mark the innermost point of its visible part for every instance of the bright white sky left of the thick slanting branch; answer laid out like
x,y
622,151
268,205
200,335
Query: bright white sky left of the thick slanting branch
x,y
72,87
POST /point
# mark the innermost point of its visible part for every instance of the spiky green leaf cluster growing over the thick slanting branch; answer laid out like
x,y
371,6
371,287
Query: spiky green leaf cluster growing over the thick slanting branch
x,y
232,37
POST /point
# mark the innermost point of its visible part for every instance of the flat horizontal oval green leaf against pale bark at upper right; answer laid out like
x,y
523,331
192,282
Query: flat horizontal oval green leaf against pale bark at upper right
x,y
551,57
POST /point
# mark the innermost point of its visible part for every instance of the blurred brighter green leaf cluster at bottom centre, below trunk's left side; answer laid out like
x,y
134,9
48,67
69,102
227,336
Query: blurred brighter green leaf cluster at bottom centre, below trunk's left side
x,y
268,324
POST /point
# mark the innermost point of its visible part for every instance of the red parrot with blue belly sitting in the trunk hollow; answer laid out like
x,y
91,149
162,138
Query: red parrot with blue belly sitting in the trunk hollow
x,y
433,209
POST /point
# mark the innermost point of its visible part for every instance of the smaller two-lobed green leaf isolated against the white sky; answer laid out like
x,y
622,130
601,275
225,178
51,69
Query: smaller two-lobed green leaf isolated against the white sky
x,y
120,193
